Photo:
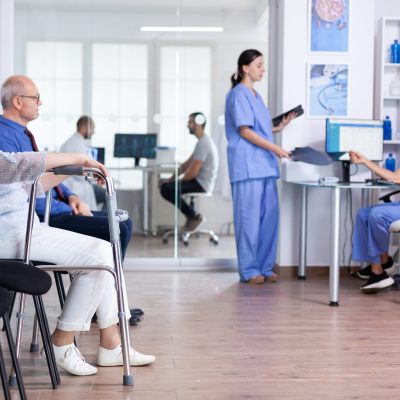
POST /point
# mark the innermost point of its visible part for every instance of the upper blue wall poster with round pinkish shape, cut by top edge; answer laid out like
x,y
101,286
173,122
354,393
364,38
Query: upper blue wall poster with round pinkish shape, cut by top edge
x,y
329,26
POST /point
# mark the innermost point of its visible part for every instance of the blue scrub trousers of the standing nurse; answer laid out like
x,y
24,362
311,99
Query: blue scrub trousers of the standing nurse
x,y
256,221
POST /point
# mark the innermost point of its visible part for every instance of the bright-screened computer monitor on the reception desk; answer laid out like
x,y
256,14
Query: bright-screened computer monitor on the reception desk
x,y
363,136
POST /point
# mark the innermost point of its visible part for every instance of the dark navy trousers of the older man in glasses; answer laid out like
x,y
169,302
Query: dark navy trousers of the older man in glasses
x,y
96,226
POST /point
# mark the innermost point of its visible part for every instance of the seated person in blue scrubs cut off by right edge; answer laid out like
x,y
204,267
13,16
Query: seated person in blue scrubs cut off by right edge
x,y
371,233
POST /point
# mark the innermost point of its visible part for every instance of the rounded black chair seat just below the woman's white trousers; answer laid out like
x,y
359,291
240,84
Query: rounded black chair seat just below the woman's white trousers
x,y
19,277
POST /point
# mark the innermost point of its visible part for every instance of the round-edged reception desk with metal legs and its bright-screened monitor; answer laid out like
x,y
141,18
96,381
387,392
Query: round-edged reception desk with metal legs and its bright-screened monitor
x,y
342,136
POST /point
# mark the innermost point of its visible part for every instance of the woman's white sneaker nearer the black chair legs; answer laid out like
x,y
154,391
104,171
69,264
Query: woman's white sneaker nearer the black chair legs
x,y
70,358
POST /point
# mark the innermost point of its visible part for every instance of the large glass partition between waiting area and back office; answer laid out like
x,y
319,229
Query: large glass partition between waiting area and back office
x,y
116,62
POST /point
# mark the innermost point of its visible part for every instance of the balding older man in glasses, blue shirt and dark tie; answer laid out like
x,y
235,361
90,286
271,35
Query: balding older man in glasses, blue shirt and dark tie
x,y
68,211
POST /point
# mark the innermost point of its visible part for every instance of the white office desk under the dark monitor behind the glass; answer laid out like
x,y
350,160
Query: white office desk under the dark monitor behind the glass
x,y
156,170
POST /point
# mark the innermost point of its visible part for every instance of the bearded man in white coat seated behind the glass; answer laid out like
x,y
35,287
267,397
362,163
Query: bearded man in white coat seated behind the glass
x,y
79,142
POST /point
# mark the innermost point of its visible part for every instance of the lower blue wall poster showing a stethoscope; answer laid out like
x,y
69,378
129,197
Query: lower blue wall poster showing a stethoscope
x,y
327,90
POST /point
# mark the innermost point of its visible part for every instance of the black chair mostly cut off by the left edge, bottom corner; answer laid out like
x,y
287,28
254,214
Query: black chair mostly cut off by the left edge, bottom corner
x,y
5,299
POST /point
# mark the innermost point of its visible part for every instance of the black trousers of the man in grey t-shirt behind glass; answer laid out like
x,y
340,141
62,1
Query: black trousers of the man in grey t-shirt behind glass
x,y
192,186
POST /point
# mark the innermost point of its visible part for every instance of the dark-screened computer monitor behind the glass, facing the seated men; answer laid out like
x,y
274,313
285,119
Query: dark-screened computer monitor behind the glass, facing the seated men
x,y
135,145
